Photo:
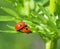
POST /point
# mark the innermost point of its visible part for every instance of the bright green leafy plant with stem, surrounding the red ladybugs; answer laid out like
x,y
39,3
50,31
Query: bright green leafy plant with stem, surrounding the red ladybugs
x,y
41,18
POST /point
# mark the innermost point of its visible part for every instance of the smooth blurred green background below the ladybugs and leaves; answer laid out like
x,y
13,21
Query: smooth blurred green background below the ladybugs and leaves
x,y
20,41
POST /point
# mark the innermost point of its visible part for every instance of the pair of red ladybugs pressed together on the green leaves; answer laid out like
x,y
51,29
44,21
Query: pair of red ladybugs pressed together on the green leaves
x,y
22,27
